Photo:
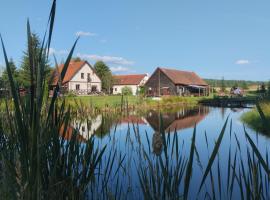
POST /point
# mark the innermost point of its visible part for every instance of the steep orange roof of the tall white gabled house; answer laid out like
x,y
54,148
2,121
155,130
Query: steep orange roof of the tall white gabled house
x,y
73,68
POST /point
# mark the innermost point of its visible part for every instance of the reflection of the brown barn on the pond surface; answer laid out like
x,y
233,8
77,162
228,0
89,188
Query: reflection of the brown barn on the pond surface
x,y
183,119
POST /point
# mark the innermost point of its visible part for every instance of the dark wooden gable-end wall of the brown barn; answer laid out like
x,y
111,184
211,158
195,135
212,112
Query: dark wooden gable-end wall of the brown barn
x,y
159,79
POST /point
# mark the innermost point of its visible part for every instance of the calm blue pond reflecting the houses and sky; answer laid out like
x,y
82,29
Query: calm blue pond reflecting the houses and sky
x,y
148,154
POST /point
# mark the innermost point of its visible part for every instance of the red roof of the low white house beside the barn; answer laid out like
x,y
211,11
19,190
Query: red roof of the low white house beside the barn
x,y
132,79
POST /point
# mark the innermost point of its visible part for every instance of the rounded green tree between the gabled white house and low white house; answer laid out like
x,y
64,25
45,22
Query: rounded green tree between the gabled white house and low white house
x,y
105,74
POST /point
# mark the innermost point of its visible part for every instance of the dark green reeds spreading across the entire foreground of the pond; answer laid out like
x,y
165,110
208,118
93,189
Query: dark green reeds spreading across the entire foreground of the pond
x,y
40,158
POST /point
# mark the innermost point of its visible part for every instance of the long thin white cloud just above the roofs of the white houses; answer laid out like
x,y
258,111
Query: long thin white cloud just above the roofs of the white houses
x,y
107,59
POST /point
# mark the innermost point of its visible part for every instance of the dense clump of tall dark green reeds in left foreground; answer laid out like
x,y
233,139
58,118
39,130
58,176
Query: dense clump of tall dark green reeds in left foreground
x,y
36,163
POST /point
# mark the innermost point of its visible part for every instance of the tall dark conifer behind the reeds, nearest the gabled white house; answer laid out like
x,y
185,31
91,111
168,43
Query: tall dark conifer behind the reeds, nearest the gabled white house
x,y
24,72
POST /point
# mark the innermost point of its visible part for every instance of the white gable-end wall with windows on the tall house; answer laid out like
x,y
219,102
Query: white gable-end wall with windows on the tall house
x,y
84,85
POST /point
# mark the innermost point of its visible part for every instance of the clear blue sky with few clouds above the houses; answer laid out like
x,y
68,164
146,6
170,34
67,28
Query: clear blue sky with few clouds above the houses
x,y
229,38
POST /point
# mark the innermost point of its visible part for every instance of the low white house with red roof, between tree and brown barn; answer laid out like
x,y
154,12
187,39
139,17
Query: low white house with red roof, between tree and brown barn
x,y
133,81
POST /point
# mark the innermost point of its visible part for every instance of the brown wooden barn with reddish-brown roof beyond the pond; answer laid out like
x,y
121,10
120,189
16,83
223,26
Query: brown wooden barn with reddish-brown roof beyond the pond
x,y
175,82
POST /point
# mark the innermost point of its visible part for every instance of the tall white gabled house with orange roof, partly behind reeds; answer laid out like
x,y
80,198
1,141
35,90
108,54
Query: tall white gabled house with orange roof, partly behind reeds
x,y
80,77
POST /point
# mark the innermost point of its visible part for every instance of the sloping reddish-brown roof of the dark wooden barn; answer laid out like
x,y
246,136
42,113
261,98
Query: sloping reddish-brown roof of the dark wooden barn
x,y
183,77
